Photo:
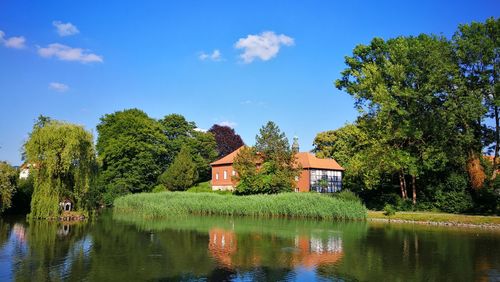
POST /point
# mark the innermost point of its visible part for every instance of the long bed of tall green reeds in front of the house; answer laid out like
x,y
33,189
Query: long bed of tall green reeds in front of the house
x,y
305,205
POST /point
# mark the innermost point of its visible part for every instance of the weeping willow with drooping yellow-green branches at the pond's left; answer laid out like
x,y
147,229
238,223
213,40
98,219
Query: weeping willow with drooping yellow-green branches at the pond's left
x,y
63,161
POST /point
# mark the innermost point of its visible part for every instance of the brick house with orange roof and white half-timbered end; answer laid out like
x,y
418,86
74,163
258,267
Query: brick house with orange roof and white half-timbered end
x,y
320,175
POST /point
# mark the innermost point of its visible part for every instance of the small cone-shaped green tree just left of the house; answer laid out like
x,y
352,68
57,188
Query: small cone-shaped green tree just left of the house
x,y
182,173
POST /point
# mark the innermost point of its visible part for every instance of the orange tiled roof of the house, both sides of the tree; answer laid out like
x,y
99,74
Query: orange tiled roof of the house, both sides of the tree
x,y
306,160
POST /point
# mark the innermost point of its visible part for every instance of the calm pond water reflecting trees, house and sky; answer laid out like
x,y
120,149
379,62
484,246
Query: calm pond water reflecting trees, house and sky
x,y
124,248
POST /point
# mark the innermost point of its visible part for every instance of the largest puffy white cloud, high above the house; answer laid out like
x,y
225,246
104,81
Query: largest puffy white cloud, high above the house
x,y
264,46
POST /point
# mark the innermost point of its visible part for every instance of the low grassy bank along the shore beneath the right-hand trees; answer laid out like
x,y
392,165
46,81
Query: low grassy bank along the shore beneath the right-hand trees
x,y
437,217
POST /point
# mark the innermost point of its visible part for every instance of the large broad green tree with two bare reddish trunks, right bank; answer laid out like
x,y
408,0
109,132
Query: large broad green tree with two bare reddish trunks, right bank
x,y
416,111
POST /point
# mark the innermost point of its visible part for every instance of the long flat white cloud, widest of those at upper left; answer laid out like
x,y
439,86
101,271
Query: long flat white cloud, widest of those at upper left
x,y
66,53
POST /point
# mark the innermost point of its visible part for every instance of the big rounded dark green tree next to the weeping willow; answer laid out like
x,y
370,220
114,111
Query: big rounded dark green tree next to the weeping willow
x,y
133,150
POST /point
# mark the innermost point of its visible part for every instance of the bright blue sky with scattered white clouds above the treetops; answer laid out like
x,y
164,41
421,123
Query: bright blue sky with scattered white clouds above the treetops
x,y
236,63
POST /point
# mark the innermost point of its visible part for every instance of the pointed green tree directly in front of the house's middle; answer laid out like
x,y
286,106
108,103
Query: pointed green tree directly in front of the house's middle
x,y
268,168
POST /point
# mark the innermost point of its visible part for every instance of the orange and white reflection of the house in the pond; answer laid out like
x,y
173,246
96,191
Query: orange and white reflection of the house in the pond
x,y
309,251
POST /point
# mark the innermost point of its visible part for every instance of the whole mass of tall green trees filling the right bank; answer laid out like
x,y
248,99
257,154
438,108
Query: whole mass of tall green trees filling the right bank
x,y
423,102
